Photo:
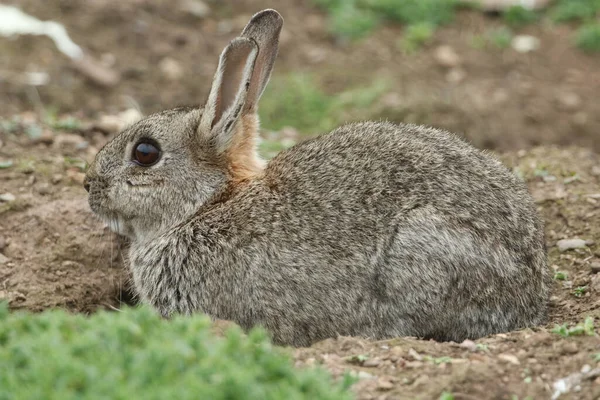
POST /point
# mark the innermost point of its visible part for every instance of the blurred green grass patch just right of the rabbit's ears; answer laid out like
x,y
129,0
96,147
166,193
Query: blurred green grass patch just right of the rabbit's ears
x,y
296,100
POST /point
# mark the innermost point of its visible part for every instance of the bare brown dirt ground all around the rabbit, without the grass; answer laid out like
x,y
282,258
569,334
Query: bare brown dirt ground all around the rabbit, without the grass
x,y
539,111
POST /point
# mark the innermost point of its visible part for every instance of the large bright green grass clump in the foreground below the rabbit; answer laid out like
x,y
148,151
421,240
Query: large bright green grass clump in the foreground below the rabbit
x,y
134,354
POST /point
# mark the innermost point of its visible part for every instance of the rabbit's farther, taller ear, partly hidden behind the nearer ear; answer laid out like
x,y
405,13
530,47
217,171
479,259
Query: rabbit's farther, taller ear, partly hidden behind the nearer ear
x,y
264,28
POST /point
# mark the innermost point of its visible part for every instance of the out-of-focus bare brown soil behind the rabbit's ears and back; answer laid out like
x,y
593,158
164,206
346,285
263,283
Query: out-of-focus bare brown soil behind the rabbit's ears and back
x,y
498,98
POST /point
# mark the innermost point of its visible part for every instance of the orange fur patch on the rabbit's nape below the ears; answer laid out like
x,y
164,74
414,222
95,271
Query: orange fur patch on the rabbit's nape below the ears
x,y
242,156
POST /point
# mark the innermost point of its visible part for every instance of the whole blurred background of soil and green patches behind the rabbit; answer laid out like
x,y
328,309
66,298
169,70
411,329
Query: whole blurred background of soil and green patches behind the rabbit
x,y
507,74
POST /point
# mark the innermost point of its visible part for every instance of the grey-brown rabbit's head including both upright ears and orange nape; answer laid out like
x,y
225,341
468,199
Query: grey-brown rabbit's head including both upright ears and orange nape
x,y
158,172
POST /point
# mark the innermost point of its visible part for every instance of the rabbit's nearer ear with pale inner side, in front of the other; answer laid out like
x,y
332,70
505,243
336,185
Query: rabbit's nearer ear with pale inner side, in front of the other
x,y
229,92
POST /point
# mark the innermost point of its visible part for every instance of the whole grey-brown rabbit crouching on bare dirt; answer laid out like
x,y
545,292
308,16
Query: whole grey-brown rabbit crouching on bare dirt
x,y
375,230
